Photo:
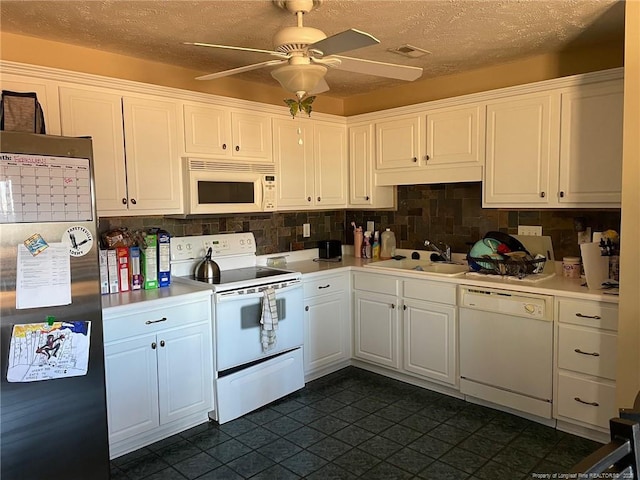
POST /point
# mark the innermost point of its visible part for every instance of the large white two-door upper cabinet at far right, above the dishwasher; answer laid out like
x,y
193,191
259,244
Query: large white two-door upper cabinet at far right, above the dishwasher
x,y
559,148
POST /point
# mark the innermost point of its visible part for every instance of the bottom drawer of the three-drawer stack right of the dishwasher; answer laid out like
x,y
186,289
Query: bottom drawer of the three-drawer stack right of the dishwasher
x,y
586,400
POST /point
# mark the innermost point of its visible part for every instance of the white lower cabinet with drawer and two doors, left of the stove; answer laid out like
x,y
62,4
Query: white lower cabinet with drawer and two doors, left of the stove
x,y
159,371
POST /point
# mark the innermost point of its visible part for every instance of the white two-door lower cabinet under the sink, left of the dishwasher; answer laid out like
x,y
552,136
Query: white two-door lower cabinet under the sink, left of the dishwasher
x,y
412,329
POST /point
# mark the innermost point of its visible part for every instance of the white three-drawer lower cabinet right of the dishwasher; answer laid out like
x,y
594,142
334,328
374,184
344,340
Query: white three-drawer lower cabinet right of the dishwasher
x,y
586,343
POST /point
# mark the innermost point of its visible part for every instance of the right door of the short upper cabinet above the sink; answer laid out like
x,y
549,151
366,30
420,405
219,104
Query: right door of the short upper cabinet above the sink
x,y
455,136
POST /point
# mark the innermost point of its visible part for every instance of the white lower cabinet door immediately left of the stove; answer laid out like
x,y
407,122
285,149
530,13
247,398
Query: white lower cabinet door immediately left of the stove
x,y
185,372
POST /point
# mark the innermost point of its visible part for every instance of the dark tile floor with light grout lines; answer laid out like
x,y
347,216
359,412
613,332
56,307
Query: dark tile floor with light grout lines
x,y
356,424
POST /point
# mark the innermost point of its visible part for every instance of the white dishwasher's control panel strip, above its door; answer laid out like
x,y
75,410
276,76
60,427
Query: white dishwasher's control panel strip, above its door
x,y
519,304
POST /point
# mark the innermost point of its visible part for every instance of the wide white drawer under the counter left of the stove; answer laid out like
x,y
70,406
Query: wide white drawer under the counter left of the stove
x,y
156,319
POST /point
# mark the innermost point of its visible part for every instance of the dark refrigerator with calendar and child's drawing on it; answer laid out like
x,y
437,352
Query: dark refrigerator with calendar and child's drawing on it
x,y
52,386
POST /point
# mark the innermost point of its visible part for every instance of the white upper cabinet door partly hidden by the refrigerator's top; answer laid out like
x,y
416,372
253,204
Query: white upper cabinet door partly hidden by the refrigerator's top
x,y
99,115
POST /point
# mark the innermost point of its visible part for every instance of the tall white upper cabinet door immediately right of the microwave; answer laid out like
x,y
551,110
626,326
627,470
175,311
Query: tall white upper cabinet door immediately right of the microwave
x,y
293,150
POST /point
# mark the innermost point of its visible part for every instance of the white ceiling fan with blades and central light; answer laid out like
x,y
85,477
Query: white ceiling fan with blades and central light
x,y
304,54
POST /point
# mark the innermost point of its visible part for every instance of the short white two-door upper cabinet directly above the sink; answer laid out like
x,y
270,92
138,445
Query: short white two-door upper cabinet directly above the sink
x,y
438,145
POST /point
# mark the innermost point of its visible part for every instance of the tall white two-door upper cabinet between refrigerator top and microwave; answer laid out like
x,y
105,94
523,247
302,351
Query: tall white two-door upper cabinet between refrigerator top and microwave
x,y
135,148
